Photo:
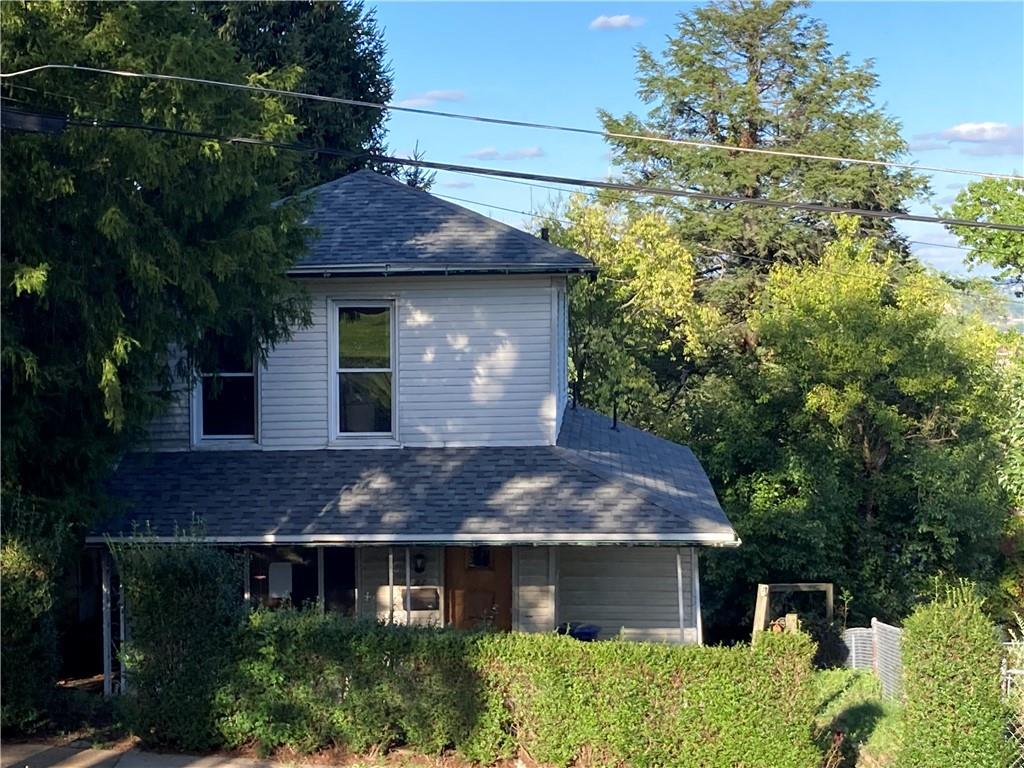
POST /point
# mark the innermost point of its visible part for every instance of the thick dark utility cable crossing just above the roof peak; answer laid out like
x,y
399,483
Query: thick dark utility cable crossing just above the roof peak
x,y
622,187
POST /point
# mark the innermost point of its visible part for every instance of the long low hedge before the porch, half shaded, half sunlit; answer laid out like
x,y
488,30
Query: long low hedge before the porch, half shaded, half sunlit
x,y
307,681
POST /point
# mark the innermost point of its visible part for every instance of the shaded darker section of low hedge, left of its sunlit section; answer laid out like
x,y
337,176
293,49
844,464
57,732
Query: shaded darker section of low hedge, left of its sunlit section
x,y
308,681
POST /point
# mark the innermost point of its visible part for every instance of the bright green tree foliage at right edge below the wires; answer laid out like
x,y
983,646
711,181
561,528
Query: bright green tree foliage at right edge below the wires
x,y
993,201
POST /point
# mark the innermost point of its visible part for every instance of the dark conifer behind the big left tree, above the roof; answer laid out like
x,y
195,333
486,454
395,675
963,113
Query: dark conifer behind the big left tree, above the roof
x,y
328,49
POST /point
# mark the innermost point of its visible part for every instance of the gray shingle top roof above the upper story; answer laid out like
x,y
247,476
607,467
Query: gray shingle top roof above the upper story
x,y
369,224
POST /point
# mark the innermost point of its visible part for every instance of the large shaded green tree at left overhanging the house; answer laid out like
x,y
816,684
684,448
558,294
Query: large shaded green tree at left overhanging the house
x,y
120,245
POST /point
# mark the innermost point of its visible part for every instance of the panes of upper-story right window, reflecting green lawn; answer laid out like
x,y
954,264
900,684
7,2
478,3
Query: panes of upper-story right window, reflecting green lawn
x,y
364,370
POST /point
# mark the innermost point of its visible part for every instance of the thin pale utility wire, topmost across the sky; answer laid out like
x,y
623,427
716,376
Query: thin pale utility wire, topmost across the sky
x,y
513,123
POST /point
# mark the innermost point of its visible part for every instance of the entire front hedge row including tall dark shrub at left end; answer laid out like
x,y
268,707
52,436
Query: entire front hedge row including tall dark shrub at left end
x,y
297,679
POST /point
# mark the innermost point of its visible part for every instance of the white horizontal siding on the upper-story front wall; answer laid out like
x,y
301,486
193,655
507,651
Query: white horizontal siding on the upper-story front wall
x,y
476,365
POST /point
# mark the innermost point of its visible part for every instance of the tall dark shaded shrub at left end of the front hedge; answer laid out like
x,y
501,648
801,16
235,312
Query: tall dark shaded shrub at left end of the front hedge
x,y
185,612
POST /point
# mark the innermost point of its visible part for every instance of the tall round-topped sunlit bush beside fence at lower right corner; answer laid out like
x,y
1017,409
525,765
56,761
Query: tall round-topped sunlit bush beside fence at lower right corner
x,y
954,714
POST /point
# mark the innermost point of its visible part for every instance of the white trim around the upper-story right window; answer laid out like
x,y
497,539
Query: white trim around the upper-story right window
x,y
336,438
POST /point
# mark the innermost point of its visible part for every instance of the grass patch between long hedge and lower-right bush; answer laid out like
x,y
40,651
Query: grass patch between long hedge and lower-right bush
x,y
850,703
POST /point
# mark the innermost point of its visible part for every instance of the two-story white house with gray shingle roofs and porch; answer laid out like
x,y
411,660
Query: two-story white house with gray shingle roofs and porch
x,y
413,454
